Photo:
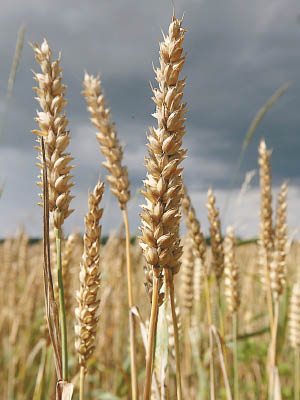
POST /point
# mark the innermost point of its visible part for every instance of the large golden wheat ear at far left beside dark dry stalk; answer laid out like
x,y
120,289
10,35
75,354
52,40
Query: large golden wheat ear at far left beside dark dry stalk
x,y
52,122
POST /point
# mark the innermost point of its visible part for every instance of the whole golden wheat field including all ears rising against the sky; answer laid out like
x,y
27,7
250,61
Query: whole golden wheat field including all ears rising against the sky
x,y
189,326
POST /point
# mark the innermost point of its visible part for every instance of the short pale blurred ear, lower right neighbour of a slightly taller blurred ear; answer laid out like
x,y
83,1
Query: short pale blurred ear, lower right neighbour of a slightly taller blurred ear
x,y
231,273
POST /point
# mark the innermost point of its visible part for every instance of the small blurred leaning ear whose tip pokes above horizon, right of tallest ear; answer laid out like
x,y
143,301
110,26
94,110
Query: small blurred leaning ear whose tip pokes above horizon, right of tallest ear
x,y
215,236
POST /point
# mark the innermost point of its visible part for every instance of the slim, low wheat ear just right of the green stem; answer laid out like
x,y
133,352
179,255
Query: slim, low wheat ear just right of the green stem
x,y
89,276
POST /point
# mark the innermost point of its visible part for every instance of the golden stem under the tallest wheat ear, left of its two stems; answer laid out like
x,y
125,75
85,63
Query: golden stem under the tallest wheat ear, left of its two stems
x,y
151,335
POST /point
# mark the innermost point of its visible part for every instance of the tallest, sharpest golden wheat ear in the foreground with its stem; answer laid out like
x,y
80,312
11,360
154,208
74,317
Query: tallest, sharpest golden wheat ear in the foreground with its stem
x,y
163,184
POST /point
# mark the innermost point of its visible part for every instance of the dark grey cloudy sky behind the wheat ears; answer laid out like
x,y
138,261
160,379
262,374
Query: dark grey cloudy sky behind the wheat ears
x,y
237,55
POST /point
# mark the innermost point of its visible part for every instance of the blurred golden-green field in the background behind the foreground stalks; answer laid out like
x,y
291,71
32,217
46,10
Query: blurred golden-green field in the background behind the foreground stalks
x,y
27,370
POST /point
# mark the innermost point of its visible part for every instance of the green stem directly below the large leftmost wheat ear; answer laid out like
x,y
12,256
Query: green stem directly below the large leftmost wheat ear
x,y
62,308
